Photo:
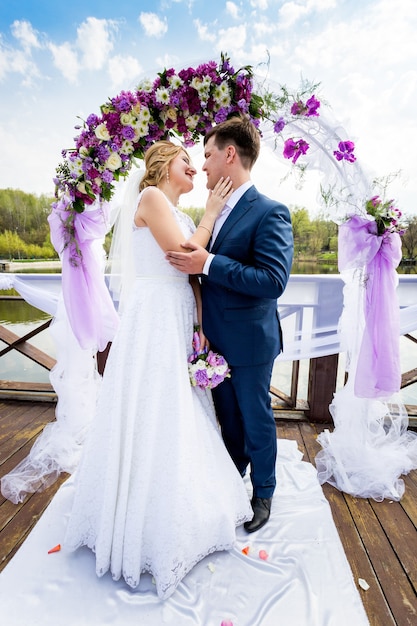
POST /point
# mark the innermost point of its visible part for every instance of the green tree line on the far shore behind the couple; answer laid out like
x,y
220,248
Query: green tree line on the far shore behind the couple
x,y
24,230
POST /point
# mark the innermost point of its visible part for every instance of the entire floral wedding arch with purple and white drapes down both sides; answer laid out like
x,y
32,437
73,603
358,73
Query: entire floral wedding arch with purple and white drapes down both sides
x,y
370,446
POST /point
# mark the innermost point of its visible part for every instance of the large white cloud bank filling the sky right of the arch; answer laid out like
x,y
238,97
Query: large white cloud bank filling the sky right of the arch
x,y
369,80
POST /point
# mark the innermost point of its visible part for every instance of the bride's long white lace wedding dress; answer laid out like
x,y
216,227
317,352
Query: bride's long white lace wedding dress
x,y
156,490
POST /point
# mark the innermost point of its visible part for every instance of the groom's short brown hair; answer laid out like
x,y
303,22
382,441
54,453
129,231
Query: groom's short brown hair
x,y
242,133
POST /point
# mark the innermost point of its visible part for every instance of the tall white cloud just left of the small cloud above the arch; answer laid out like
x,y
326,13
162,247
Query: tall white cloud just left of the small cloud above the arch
x,y
94,40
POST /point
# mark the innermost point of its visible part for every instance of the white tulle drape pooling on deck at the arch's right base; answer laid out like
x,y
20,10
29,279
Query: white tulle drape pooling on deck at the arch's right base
x,y
370,446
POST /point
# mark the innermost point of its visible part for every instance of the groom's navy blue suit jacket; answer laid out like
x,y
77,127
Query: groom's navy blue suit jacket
x,y
250,270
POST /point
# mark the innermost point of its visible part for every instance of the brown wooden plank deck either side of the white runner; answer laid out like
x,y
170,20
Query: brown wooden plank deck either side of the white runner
x,y
380,539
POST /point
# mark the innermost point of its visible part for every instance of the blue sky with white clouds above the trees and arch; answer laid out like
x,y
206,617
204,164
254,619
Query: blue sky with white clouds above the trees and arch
x,y
60,60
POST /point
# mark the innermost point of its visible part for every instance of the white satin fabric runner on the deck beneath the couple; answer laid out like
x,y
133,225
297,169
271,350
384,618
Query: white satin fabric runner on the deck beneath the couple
x,y
304,581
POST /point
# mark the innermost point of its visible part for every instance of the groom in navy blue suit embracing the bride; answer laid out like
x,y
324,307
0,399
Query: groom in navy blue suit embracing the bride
x,y
242,276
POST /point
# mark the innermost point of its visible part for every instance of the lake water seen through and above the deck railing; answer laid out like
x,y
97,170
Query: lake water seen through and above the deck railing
x,y
21,318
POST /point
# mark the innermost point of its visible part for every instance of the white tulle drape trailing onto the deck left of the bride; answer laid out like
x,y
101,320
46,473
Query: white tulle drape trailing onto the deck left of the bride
x,y
76,381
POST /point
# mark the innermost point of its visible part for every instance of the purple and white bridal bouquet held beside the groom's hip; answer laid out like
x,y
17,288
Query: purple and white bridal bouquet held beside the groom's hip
x,y
207,369
